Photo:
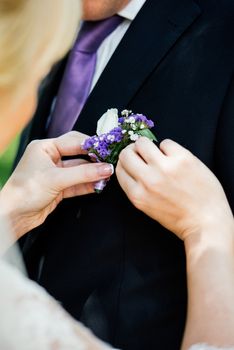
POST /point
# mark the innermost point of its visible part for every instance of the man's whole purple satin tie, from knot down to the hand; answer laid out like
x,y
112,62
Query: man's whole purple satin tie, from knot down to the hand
x,y
77,79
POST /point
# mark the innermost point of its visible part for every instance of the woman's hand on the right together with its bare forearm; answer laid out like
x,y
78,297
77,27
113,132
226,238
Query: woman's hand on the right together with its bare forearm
x,y
173,187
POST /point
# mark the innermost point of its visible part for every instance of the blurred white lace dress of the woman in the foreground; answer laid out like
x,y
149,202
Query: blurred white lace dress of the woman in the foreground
x,y
30,319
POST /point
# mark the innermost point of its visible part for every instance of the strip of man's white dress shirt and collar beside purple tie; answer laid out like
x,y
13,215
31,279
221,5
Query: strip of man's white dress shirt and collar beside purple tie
x,y
110,44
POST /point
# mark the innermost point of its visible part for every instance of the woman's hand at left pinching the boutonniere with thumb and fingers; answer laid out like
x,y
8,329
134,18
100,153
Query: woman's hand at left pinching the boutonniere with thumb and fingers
x,y
41,180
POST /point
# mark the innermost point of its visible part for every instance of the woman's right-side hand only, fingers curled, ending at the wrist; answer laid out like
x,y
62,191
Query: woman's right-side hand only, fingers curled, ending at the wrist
x,y
173,187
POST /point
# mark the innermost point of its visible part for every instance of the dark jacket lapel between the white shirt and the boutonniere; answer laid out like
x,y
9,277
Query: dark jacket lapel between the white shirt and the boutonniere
x,y
154,31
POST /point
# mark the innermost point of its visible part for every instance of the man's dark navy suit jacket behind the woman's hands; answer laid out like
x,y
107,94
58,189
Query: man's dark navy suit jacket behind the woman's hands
x,y
108,264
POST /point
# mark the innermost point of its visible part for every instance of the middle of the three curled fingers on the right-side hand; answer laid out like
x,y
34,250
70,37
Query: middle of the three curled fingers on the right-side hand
x,y
131,162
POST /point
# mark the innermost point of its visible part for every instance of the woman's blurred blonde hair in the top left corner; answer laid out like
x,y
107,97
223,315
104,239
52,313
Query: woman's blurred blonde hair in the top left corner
x,y
33,35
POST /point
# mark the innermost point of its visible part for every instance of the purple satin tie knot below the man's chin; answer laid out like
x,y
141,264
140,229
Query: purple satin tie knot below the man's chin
x,y
92,34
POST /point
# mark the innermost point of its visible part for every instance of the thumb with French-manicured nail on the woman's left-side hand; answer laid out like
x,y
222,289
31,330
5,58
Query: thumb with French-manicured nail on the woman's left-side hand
x,y
84,173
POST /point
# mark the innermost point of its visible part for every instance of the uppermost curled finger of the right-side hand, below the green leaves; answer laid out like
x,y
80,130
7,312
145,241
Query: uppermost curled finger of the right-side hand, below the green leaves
x,y
148,151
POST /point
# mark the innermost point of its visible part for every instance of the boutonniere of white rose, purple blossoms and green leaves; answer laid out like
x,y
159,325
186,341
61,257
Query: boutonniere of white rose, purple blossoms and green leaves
x,y
114,133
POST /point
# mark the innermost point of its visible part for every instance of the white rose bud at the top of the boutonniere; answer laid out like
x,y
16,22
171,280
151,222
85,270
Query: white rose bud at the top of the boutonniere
x,y
108,121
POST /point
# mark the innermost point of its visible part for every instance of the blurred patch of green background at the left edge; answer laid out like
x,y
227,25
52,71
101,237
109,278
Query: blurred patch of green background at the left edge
x,y
7,160
